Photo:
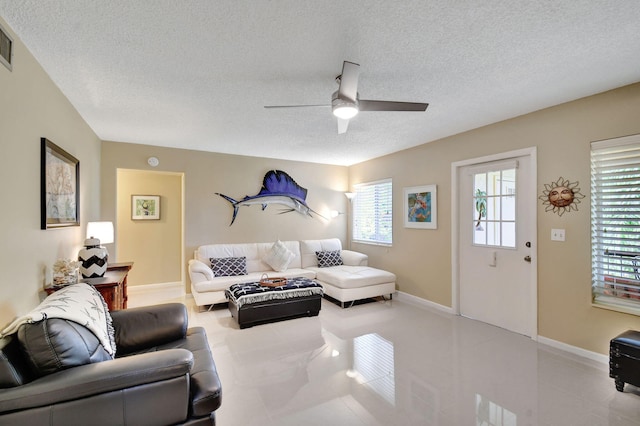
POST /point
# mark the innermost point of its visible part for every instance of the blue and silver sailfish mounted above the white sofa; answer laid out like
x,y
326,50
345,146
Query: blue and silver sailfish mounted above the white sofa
x,y
277,188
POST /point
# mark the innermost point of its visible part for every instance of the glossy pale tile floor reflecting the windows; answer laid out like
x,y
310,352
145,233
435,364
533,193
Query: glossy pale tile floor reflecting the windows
x,y
392,363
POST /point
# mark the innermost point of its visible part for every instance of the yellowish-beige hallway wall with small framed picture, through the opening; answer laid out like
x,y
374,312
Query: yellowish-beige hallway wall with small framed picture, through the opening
x,y
154,245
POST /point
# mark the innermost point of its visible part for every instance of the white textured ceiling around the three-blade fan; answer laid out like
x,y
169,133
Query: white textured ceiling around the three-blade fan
x,y
196,74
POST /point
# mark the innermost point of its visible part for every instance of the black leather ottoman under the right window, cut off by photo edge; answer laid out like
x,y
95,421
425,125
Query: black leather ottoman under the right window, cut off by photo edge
x,y
624,359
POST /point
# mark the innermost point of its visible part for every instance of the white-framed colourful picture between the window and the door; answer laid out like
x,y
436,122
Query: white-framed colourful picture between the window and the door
x,y
420,207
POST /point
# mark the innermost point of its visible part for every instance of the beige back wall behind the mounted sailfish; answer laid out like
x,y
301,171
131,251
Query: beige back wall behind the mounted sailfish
x,y
207,216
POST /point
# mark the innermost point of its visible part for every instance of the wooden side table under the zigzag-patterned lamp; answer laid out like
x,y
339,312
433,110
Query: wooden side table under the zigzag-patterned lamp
x,y
112,286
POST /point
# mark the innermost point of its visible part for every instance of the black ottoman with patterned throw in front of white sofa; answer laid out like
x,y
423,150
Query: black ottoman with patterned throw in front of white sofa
x,y
253,304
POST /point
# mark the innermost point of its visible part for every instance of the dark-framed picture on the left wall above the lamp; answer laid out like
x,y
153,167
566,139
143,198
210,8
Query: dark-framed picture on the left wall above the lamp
x,y
59,187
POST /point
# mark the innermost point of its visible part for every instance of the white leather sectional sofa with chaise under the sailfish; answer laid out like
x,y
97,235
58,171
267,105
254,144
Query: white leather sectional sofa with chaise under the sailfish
x,y
354,280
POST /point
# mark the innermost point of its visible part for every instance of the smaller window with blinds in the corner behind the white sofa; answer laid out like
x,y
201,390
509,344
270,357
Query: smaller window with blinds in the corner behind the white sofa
x,y
373,213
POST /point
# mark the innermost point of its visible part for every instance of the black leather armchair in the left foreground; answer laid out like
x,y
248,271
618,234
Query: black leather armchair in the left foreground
x,y
163,373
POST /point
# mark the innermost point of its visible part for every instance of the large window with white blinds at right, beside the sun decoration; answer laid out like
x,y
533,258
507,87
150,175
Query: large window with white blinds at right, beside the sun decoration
x,y
615,223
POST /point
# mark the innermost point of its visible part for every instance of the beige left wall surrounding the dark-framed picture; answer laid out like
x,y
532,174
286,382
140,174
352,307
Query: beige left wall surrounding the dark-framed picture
x,y
31,107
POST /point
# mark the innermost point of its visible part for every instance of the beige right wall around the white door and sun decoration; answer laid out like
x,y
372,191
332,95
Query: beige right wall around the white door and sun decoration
x,y
422,259
